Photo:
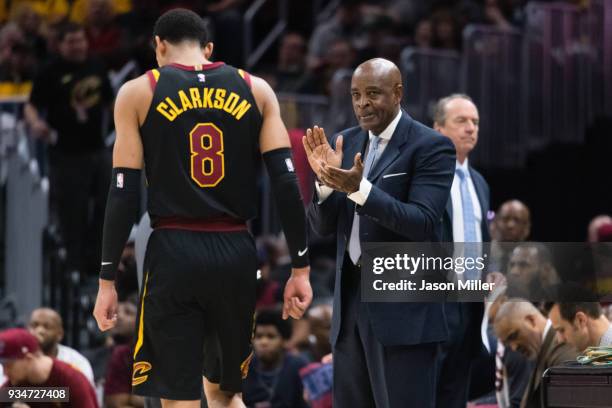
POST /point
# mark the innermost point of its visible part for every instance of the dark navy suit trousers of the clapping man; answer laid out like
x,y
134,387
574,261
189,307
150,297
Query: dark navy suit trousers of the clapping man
x,y
368,374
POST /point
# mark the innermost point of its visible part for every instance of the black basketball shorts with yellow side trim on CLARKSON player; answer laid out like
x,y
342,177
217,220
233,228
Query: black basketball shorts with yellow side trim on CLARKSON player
x,y
195,316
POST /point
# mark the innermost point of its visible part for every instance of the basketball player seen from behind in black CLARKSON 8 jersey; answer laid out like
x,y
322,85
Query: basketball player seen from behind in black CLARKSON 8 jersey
x,y
197,128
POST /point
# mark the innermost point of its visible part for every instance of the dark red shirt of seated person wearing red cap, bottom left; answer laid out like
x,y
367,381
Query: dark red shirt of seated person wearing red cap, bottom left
x,y
82,394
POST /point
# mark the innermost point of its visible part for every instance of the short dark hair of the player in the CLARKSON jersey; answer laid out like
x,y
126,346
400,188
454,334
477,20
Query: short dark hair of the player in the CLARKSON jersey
x,y
179,25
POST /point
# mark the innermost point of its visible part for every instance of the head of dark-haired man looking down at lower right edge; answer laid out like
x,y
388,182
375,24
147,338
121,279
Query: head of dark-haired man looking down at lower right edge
x,y
581,325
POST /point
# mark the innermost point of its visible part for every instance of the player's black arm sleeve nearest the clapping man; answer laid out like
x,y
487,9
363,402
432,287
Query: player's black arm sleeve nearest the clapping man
x,y
289,203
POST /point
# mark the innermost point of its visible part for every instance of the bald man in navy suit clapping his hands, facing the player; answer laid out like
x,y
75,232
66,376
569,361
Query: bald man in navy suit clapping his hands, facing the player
x,y
384,353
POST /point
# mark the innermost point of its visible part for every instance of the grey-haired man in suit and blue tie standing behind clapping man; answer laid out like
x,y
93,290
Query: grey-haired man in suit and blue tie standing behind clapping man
x,y
464,220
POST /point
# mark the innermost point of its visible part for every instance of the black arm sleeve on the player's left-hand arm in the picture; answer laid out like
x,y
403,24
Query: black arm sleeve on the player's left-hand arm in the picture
x,y
122,207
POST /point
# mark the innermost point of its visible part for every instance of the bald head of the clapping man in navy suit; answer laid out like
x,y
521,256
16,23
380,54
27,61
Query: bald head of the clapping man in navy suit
x,y
376,91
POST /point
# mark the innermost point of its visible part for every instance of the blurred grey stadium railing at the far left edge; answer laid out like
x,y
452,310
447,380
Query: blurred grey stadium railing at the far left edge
x,y
25,212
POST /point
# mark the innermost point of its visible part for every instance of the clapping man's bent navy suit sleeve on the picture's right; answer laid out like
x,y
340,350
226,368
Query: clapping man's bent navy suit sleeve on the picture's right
x,y
419,216
